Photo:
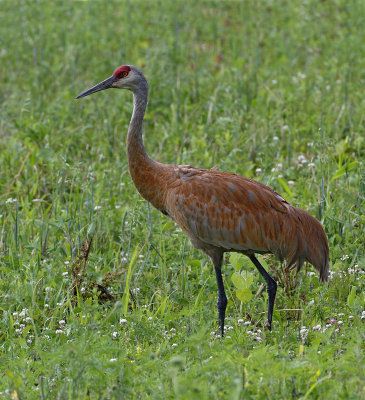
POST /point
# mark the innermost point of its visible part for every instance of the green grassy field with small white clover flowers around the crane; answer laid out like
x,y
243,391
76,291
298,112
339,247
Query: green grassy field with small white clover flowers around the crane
x,y
273,91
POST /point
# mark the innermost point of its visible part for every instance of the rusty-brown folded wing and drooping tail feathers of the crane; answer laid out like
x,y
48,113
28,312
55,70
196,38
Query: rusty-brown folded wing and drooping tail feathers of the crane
x,y
235,213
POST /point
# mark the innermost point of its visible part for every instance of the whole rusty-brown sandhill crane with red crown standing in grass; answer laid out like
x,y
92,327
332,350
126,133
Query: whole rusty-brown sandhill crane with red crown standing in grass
x,y
219,211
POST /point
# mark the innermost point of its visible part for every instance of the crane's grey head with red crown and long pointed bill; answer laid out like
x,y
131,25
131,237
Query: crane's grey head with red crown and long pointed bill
x,y
124,77
